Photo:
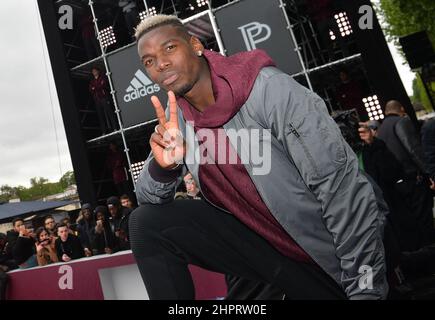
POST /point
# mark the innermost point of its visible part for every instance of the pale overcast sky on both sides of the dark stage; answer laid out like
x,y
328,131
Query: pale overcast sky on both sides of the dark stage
x,y
32,136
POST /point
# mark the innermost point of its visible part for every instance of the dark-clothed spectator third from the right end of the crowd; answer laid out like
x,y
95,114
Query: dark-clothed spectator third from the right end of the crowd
x,y
104,240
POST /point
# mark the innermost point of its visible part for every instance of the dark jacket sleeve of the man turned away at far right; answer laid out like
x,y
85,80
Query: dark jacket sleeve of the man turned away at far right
x,y
409,138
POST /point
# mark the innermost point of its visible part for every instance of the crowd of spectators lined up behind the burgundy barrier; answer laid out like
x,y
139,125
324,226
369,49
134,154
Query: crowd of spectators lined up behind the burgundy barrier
x,y
99,230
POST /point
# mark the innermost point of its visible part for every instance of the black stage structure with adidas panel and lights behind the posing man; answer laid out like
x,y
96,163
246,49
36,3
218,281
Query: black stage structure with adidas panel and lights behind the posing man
x,y
312,46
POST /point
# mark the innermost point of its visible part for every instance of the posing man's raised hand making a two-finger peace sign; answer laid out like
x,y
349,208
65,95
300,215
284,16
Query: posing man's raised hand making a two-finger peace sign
x,y
166,142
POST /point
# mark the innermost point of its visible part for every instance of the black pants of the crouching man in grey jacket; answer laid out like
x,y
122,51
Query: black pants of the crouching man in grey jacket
x,y
166,238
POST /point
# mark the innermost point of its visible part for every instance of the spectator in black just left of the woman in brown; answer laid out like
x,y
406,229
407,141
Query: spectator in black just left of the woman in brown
x,y
24,249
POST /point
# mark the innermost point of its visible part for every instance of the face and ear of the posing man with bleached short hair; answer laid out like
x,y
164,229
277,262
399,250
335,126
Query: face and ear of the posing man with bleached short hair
x,y
170,58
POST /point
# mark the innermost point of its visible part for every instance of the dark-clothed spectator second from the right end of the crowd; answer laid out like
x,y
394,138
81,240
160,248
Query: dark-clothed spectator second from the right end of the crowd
x,y
119,223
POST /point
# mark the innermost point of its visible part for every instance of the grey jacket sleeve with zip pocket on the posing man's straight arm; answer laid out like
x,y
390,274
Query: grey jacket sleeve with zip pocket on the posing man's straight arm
x,y
299,119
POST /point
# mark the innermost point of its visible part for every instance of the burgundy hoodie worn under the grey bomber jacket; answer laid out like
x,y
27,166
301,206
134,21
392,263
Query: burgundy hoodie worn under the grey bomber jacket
x,y
229,186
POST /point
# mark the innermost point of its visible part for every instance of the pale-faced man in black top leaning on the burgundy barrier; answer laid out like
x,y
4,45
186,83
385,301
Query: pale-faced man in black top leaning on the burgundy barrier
x,y
68,246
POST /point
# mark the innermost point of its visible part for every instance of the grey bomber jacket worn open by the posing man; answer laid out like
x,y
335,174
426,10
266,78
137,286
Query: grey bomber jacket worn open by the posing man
x,y
313,185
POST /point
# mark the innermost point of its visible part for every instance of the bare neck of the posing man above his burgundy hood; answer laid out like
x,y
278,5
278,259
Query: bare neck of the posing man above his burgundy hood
x,y
201,95
